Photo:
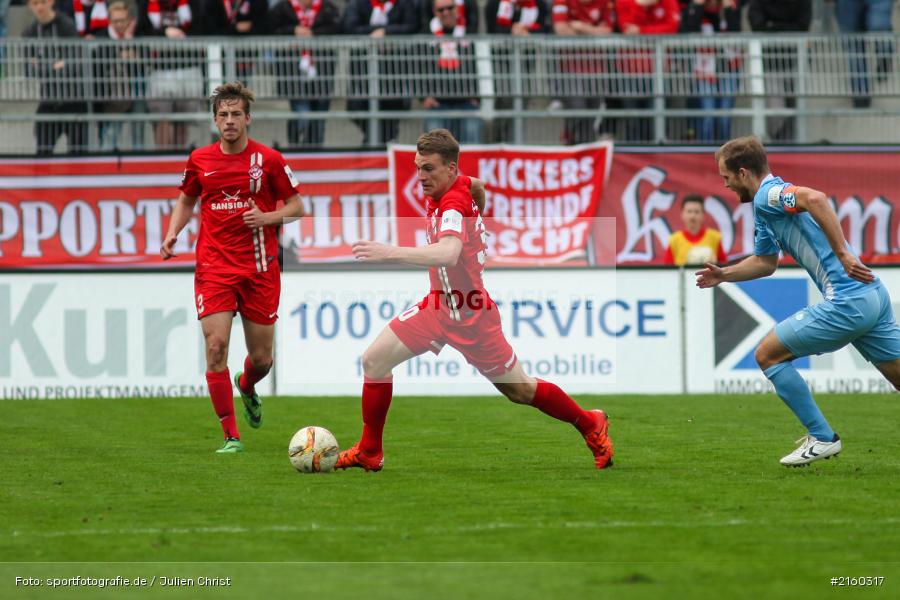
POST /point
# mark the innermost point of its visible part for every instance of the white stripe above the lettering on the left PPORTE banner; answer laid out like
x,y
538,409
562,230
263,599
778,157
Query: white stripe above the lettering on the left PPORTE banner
x,y
168,179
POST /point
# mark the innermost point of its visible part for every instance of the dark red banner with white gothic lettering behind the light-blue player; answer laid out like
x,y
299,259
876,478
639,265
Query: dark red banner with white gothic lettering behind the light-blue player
x,y
645,191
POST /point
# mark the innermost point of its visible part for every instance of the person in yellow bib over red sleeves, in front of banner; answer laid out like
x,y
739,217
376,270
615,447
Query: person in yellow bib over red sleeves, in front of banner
x,y
694,244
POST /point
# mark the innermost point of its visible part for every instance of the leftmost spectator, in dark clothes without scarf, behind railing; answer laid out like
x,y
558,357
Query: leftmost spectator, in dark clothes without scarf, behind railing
x,y
59,76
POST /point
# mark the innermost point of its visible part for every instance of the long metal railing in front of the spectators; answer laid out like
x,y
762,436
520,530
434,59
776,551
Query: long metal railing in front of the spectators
x,y
349,91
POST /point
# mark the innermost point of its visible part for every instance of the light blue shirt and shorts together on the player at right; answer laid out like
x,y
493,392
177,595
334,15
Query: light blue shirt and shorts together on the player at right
x,y
853,311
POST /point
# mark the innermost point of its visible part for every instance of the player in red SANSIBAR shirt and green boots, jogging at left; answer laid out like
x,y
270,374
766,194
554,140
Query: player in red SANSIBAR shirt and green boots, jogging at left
x,y
239,183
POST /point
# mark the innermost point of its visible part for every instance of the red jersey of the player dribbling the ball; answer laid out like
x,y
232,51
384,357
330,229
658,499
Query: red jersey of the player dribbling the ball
x,y
459,290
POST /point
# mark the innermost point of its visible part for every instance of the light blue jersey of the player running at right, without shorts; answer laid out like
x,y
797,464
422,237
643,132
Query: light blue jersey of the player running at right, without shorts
x,y
779,225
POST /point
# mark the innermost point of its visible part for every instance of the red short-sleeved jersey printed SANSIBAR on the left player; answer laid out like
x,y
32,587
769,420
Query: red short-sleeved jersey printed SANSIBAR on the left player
x,y
225,183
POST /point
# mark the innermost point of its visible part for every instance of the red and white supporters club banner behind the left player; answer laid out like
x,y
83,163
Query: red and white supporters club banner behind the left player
x,y
113,212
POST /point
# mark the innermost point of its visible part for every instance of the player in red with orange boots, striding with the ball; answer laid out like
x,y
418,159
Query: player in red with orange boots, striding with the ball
x,y
458,311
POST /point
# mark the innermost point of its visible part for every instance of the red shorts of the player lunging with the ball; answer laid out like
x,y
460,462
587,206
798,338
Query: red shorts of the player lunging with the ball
x,y
421,328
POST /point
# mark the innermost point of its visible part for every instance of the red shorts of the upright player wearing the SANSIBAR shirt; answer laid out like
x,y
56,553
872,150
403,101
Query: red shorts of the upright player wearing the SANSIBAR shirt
x,y
254,295
